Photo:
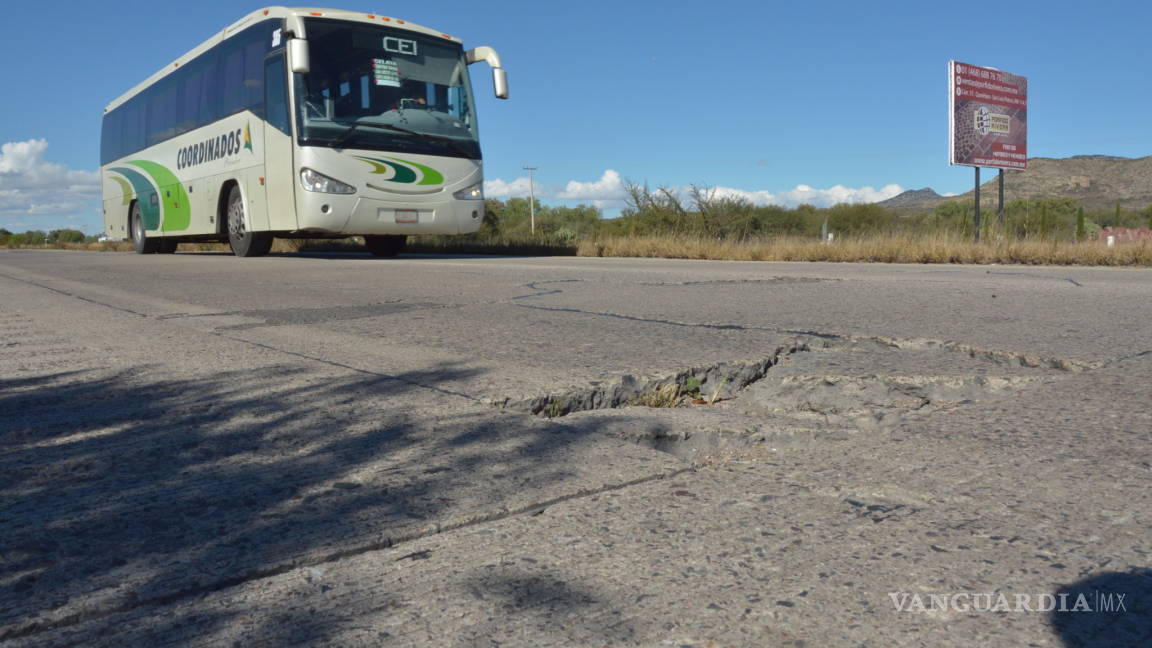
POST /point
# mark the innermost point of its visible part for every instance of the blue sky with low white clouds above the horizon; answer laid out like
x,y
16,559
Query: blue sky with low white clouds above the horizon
x,y
779,102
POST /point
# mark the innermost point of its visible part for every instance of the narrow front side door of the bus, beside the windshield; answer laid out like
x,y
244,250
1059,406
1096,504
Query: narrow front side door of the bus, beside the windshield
x,y
279,170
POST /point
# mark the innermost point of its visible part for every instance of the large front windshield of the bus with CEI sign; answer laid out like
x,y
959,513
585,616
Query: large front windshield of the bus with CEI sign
x,y
385,89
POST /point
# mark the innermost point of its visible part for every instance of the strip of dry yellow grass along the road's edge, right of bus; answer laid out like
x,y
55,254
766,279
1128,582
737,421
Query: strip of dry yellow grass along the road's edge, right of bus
x,y
877,250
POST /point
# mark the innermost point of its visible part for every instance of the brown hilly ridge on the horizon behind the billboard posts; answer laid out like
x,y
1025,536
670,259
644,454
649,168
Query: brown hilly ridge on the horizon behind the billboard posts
x,y
1097,182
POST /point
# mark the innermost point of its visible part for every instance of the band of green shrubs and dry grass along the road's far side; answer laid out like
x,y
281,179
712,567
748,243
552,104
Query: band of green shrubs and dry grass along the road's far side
x,y
703,224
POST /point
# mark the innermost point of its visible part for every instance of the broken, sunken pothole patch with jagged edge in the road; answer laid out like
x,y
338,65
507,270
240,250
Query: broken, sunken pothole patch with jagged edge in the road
x,y
804,391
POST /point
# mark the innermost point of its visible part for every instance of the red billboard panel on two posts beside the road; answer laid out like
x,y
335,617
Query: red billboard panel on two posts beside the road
x,y
988,117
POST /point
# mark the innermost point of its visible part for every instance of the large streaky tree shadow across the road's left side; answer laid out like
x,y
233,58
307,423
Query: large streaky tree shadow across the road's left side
x,y
120,493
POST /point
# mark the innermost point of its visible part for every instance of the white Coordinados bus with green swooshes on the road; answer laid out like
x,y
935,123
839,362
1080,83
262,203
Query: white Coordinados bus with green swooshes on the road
x,y
300,123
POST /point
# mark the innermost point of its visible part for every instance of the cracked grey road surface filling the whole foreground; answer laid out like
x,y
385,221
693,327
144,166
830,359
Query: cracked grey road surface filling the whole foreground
x,y
201,451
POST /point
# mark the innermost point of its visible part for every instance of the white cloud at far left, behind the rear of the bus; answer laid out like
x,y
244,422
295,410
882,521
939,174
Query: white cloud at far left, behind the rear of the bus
x,y
31,185
